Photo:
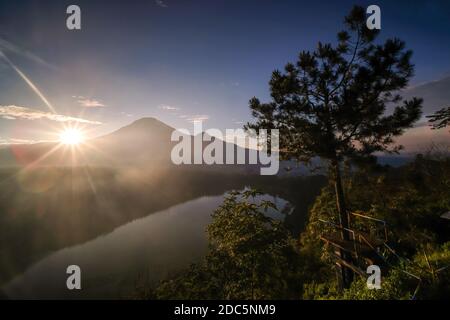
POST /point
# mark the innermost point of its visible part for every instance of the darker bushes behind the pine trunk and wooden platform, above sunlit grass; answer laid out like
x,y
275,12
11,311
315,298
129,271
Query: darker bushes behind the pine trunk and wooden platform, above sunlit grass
x,y
410,199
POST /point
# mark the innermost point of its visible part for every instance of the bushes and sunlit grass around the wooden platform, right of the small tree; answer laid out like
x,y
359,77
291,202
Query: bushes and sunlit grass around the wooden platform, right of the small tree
x,y
411,200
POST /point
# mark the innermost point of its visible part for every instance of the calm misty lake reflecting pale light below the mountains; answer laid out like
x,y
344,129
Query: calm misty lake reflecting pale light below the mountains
x,y
149,248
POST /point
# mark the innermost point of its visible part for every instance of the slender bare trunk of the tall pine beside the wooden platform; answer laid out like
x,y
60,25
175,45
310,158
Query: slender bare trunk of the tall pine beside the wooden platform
x,y
347,274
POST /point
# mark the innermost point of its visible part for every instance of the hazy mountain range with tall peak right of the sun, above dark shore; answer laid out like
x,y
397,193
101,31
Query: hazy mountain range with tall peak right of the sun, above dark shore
x,y
144,143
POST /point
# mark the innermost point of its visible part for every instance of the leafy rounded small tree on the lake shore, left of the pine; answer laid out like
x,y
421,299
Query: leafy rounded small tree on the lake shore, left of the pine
x,y
255,251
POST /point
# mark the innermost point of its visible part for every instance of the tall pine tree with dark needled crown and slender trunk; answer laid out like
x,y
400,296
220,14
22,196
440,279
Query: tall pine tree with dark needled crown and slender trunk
x,y
332,102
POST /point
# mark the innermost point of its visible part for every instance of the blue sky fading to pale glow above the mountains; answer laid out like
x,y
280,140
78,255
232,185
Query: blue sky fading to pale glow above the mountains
x,y
180,59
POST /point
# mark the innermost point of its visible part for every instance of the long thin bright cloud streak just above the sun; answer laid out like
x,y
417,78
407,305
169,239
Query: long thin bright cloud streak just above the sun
x,y
15,112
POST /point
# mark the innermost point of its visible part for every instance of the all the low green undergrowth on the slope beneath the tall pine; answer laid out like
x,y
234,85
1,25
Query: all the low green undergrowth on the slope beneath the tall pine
x,y
254,257
